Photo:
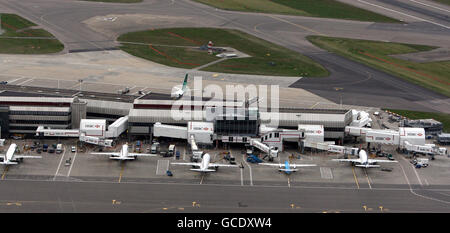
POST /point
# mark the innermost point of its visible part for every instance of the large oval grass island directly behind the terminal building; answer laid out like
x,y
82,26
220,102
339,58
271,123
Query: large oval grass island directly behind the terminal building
x,y
266,58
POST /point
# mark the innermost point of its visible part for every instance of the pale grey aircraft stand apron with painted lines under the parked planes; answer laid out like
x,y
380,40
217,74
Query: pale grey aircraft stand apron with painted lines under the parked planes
x,y
83,166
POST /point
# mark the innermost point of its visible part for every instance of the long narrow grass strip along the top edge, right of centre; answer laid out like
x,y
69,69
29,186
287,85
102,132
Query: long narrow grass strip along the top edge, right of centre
x,y
313,8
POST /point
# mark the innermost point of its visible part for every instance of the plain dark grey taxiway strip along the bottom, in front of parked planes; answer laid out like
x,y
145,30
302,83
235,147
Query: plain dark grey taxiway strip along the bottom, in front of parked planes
x,y
60,196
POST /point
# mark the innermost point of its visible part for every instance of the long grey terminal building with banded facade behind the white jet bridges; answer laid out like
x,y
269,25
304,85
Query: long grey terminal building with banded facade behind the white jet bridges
x,y
23,112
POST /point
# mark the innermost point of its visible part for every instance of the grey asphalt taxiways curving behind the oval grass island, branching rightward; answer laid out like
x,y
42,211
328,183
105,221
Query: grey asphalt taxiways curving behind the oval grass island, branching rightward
x,y
65,21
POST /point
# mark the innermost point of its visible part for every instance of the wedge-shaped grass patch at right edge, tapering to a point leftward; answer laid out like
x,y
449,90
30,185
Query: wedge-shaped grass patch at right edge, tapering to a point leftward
x,y
431,75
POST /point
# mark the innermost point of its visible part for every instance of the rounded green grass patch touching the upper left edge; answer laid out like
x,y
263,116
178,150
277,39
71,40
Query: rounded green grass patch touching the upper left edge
x,y
16,26
